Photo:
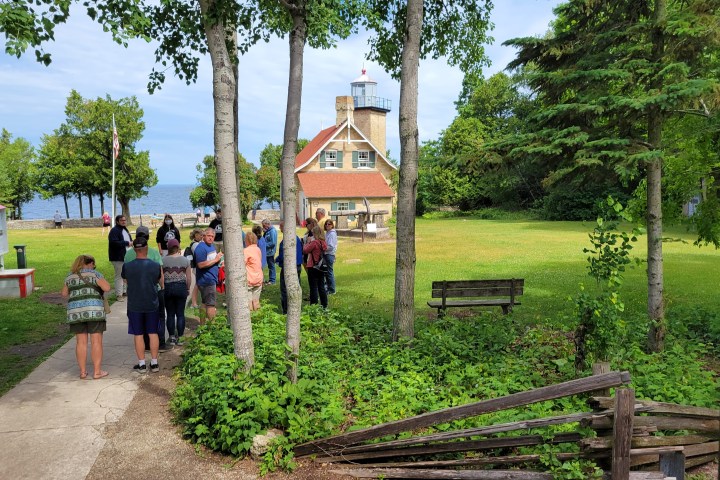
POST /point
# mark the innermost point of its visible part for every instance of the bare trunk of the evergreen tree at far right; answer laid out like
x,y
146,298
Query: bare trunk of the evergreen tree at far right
x,y
656,307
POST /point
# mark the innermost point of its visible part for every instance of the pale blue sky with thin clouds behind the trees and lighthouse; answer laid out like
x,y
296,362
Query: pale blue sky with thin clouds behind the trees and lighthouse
x,y
179,117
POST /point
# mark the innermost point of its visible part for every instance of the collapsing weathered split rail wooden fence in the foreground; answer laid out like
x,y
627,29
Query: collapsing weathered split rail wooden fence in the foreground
x,y
657,440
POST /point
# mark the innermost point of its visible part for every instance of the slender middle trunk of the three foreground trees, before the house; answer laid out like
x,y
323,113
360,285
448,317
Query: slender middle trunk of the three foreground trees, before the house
x,y
292,126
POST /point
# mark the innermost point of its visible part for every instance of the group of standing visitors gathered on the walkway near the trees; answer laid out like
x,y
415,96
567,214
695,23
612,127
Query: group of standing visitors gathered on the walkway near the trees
x,y
157,283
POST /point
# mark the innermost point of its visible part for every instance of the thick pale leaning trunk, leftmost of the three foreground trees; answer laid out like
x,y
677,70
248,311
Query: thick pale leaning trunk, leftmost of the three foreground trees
x,y
225,160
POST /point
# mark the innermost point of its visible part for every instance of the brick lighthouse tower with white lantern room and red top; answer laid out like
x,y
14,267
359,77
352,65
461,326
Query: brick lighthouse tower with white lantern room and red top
x,y
370,110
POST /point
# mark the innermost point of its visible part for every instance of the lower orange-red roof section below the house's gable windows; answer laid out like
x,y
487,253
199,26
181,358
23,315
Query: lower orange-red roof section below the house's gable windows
x,y
344,185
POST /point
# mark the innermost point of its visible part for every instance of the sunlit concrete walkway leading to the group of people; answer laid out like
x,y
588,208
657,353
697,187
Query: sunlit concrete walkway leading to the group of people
x,y
52,423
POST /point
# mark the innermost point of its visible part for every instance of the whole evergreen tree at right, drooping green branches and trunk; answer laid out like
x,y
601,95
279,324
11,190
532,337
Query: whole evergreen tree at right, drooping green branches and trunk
x,y
610,76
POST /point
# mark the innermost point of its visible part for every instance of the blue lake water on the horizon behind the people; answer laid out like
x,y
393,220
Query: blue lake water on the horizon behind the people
x,y
160,199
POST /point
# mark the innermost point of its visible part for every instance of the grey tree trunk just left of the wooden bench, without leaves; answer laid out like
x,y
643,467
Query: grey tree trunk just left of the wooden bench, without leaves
x,y
404,311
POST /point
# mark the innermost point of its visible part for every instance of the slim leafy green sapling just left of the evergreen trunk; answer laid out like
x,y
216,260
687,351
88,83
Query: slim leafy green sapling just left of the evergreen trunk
x,y
600,315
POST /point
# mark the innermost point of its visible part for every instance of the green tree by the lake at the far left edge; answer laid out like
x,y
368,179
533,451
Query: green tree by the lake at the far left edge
x,y
16,157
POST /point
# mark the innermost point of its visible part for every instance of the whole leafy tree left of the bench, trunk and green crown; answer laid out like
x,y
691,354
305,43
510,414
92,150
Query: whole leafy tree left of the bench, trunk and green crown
x,y
406,33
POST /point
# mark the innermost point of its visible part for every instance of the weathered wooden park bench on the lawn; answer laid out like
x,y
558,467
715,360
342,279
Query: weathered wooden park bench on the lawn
x,y
477,293
